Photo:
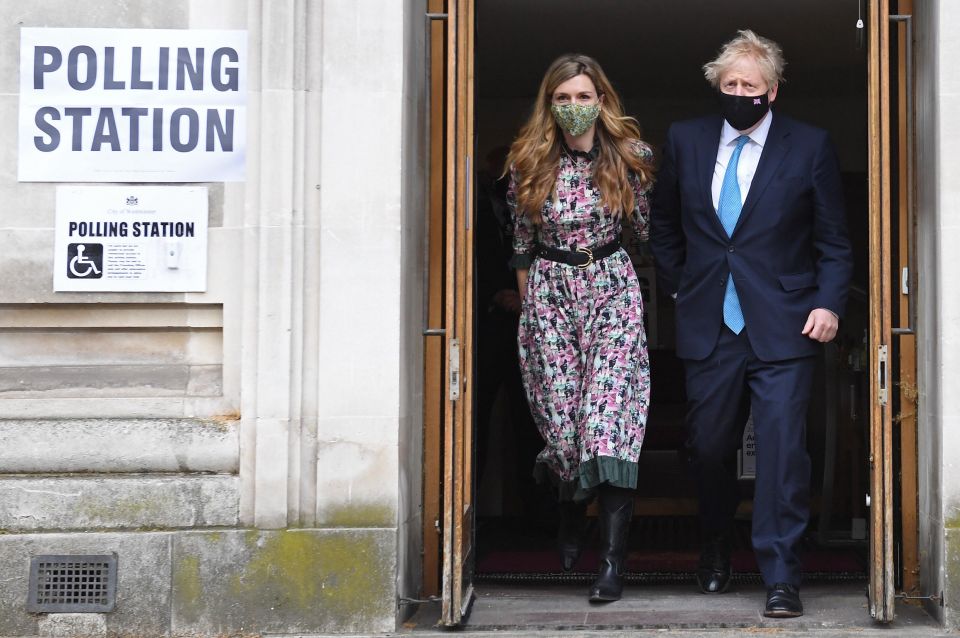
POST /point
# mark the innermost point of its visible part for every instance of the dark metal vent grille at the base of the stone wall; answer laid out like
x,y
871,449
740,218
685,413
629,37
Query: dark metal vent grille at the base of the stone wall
x,y
72,583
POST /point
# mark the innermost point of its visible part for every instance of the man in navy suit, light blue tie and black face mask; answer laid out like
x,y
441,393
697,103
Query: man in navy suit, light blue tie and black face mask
x,y
749,234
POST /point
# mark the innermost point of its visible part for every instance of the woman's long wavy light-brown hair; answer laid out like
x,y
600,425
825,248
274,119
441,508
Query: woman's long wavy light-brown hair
x,y
535,154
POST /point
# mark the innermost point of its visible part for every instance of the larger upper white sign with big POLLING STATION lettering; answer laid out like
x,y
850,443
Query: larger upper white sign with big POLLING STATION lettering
x,y
132,105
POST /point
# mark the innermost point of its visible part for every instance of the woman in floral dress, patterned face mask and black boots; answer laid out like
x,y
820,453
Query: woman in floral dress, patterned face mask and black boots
x,y
578,172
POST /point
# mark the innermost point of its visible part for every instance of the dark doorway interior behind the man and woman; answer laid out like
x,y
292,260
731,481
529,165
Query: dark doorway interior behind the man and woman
x,y
653,51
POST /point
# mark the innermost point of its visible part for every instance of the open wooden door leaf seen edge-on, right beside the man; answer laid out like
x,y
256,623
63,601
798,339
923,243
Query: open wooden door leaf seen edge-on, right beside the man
x,y
880,498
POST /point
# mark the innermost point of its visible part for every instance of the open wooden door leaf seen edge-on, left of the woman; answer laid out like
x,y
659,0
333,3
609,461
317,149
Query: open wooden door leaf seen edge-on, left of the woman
x,y
458,505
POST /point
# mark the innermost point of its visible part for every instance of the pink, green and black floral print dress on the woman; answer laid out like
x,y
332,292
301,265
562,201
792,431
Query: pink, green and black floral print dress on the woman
x,y
583,347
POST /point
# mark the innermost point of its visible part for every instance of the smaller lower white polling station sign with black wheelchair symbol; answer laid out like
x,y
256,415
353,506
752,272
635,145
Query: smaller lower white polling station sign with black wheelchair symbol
x,y
131,238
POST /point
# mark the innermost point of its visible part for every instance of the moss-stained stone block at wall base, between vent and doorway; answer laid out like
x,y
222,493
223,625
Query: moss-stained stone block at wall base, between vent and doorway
x,y
285,581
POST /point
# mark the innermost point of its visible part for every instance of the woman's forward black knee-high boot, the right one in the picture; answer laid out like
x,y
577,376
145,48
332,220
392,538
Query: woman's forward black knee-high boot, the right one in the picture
x,y
616,510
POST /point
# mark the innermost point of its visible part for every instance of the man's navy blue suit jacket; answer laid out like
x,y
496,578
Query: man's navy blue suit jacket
x,y
789,252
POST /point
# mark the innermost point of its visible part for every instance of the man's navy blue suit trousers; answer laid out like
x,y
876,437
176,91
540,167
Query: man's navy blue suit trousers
x,y
722,390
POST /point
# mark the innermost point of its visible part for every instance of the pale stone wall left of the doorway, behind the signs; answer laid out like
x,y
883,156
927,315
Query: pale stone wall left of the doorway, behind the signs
x,y
239,449
